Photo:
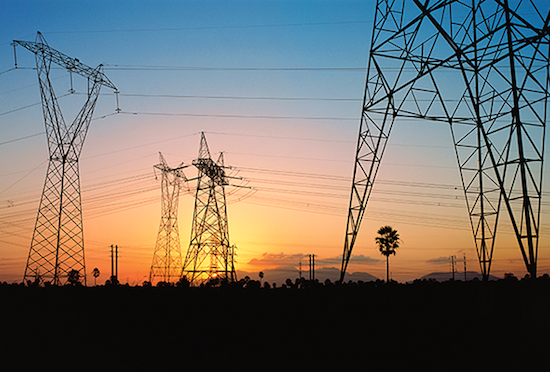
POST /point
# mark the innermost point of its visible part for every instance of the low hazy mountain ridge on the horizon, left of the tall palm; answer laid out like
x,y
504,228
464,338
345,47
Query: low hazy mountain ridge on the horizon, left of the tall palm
x,y
281,274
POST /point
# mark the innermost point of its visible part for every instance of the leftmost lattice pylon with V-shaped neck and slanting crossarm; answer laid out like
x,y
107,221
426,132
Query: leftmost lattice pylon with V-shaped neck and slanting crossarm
x,y
57,247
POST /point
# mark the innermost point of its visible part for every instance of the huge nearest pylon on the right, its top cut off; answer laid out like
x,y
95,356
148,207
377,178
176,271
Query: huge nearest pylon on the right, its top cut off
x,y
482,67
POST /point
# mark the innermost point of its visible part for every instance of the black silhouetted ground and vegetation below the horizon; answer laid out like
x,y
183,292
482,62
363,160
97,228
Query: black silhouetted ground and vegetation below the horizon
x,y
332,325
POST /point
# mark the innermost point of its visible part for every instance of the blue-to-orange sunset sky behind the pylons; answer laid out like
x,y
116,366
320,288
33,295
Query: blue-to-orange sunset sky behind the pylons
x,y
278,87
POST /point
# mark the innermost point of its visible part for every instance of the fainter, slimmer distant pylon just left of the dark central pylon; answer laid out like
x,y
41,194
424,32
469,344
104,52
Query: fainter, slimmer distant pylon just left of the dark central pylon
x,y
167,257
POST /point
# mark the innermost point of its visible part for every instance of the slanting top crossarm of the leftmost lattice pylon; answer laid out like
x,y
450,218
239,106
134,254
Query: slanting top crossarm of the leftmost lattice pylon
x,y
72,64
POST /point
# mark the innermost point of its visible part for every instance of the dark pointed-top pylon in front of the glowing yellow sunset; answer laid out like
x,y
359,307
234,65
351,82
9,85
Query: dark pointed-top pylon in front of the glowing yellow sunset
x,y
209,256
